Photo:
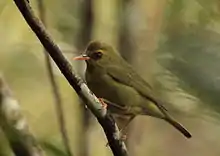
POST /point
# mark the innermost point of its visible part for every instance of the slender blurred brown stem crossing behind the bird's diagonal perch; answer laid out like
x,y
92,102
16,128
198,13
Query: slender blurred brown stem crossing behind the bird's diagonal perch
x,y
55,89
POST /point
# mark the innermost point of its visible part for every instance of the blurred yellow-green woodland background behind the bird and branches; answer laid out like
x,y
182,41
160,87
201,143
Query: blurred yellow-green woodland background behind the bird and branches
x,y
173,44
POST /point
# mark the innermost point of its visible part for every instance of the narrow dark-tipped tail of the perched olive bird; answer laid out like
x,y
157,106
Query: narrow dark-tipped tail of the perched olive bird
x,y
179,127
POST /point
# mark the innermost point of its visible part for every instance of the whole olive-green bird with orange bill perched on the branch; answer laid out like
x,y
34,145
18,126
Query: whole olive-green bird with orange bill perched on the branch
x,y
126,93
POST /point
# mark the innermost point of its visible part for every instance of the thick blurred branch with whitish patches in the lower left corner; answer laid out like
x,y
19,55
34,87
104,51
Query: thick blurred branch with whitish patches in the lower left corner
x,y
14,125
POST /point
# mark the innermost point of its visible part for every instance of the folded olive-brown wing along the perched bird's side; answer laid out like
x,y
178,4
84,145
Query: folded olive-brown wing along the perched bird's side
x,y
127,76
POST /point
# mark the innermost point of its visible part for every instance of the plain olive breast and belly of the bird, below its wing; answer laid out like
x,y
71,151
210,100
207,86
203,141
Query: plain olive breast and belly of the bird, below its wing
x,y
106,87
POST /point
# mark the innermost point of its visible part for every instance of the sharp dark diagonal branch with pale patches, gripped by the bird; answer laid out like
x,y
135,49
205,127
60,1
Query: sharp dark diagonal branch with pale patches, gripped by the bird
x,y
104,118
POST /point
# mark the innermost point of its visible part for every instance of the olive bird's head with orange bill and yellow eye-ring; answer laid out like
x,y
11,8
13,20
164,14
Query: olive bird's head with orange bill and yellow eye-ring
x,y
98,54
